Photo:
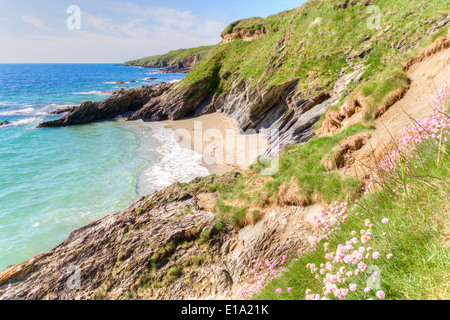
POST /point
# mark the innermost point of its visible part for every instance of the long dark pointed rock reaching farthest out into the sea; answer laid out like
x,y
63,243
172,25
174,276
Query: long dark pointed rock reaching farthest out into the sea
x,y
121,102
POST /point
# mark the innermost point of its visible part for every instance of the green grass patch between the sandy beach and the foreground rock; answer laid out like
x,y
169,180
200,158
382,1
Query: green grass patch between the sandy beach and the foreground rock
x,y
300,164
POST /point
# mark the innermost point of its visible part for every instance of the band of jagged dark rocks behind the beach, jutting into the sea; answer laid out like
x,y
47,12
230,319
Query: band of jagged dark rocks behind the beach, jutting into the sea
x,y
281,108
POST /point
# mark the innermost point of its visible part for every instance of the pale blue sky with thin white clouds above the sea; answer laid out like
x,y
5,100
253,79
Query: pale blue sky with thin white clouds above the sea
x,y
113,31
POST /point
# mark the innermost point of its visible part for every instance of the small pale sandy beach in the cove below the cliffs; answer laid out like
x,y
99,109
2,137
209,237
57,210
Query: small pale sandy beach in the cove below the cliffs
x,y
217,137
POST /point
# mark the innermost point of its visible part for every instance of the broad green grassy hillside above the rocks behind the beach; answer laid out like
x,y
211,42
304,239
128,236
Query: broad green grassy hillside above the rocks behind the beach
x,y
317,38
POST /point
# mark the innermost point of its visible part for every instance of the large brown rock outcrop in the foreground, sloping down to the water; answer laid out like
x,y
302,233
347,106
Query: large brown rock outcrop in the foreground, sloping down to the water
x,y
165,246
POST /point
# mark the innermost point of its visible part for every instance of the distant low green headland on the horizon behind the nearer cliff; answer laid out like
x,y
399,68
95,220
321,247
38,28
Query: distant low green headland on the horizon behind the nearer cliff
x,y
171,58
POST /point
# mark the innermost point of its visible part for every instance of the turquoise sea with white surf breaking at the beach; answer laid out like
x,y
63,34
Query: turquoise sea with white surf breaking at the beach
x,y
55,180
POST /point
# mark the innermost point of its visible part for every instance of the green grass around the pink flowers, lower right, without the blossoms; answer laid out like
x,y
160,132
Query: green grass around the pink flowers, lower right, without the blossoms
x,y
417,236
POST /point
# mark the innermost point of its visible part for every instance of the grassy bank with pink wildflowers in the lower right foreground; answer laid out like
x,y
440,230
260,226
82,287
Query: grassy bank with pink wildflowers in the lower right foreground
x,y
399,228
